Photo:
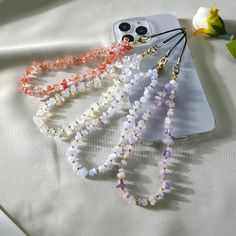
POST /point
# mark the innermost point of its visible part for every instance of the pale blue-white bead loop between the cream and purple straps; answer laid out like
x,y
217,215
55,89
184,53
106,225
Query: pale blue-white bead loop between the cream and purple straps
x,y
109,163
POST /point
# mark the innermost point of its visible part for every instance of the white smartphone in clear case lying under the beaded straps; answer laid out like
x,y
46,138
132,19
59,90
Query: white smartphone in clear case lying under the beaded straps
x,y
193,114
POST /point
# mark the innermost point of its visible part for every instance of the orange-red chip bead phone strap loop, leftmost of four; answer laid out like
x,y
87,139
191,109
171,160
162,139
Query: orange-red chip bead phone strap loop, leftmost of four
x,y
109,54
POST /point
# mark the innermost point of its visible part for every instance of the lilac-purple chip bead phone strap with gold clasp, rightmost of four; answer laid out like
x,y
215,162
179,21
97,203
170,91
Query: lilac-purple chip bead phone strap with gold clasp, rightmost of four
x,y
169,99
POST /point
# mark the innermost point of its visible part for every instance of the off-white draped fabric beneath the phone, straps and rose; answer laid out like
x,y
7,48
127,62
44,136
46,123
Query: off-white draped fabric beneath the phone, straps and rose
x,y
37,187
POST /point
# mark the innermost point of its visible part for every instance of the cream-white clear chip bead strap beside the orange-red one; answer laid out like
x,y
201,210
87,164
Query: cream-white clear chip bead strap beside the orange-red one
x,y
125,67
